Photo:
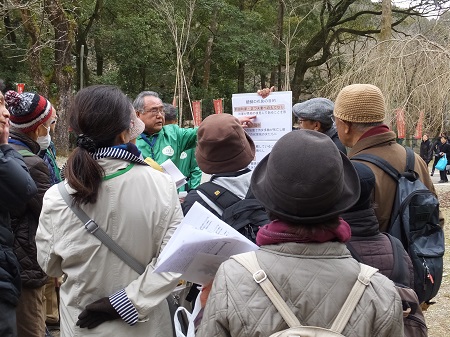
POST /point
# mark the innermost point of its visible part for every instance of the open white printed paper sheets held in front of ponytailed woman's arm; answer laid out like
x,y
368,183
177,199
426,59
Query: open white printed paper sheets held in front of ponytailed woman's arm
x,y
199,245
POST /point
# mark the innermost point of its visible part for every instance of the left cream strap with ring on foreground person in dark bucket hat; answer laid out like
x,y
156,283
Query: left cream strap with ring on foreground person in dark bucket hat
x,y
250,262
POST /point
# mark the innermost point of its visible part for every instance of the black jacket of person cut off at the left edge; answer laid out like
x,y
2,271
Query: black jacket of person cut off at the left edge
x,y
16,187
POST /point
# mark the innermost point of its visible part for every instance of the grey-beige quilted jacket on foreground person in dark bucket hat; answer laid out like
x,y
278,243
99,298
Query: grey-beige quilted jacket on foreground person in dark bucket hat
x,y
314,279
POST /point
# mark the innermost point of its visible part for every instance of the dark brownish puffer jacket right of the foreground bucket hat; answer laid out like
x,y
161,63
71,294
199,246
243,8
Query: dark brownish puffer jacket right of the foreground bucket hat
x,y
375,249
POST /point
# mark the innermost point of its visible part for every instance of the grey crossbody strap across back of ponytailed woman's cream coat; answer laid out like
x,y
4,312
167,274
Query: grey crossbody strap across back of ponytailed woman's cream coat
x,y
99,233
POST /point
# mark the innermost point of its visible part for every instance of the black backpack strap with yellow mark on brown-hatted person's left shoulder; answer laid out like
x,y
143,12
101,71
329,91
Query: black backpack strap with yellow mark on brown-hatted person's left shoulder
x,y
218,198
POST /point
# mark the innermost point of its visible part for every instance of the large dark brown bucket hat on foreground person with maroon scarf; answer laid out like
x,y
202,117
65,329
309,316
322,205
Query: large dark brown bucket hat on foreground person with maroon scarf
x,y
306,179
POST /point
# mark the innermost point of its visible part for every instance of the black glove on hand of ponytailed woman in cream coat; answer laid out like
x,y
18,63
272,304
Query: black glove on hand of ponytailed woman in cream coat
x,y
96,313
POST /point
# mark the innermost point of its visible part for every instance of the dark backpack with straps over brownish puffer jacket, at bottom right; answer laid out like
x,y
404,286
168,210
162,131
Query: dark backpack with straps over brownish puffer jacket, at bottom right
x,y
413,318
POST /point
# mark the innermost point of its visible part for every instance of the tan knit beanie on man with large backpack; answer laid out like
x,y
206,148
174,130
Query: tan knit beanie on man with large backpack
x,y
360,103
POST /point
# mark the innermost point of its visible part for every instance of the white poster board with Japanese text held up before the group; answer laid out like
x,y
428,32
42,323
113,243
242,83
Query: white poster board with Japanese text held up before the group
x,y
273,114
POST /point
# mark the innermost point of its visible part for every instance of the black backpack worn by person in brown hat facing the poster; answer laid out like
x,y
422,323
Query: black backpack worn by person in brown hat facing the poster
x,y
245,215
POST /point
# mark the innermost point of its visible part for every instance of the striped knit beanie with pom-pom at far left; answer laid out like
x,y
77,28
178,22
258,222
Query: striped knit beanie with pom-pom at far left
x,y
28,110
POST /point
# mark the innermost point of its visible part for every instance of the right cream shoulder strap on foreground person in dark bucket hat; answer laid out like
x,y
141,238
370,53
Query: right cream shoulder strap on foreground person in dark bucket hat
x,y
353,298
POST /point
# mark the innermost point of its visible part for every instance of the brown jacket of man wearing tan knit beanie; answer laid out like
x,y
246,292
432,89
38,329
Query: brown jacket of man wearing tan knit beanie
x,y
385,146
